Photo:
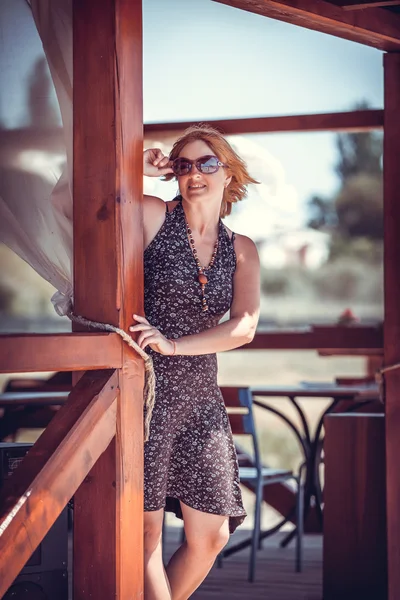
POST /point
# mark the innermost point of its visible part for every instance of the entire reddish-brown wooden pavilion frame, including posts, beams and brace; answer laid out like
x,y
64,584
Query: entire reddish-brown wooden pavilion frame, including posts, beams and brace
x,y
93,448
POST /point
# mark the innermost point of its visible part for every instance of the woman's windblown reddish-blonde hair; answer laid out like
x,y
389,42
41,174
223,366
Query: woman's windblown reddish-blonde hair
x,y
235,166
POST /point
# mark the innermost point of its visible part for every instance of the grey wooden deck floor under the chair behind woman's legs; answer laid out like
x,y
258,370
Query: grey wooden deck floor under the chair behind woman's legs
x,y
276,578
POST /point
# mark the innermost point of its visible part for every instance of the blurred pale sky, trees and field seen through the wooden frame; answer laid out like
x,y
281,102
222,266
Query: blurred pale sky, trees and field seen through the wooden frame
x,y
316,215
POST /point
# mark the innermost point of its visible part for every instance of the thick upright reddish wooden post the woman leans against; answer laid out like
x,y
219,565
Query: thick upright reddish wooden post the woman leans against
x,y
108,282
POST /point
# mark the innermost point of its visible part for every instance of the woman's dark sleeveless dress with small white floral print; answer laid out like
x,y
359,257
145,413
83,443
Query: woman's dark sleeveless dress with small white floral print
x,y
190,454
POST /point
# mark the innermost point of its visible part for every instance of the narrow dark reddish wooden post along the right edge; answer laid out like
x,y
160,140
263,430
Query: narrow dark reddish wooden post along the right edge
x,y
392,311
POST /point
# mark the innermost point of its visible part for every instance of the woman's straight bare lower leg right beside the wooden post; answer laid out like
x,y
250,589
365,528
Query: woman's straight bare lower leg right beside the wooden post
x,y
156,585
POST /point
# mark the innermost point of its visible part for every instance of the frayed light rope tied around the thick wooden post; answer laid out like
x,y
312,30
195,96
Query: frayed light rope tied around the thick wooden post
x,y
149,377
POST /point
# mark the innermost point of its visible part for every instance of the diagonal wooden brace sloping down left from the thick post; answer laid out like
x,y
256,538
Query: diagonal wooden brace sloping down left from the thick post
x,y
53,469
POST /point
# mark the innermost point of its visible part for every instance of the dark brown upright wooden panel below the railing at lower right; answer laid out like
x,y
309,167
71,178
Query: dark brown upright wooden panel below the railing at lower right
x,y
354,508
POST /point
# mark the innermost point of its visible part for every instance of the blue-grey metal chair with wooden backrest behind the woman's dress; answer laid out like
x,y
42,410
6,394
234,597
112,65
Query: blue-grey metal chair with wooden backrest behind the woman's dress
x,y
239,404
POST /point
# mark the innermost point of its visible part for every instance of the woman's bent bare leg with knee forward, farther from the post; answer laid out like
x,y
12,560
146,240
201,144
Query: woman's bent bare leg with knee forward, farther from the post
x,y
206,535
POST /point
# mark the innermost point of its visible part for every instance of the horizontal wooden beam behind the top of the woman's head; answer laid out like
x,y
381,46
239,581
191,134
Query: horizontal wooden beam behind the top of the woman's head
x,y
358,120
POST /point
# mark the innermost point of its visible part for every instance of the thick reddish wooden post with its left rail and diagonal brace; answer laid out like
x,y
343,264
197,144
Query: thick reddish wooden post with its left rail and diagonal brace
x,y
94,446
